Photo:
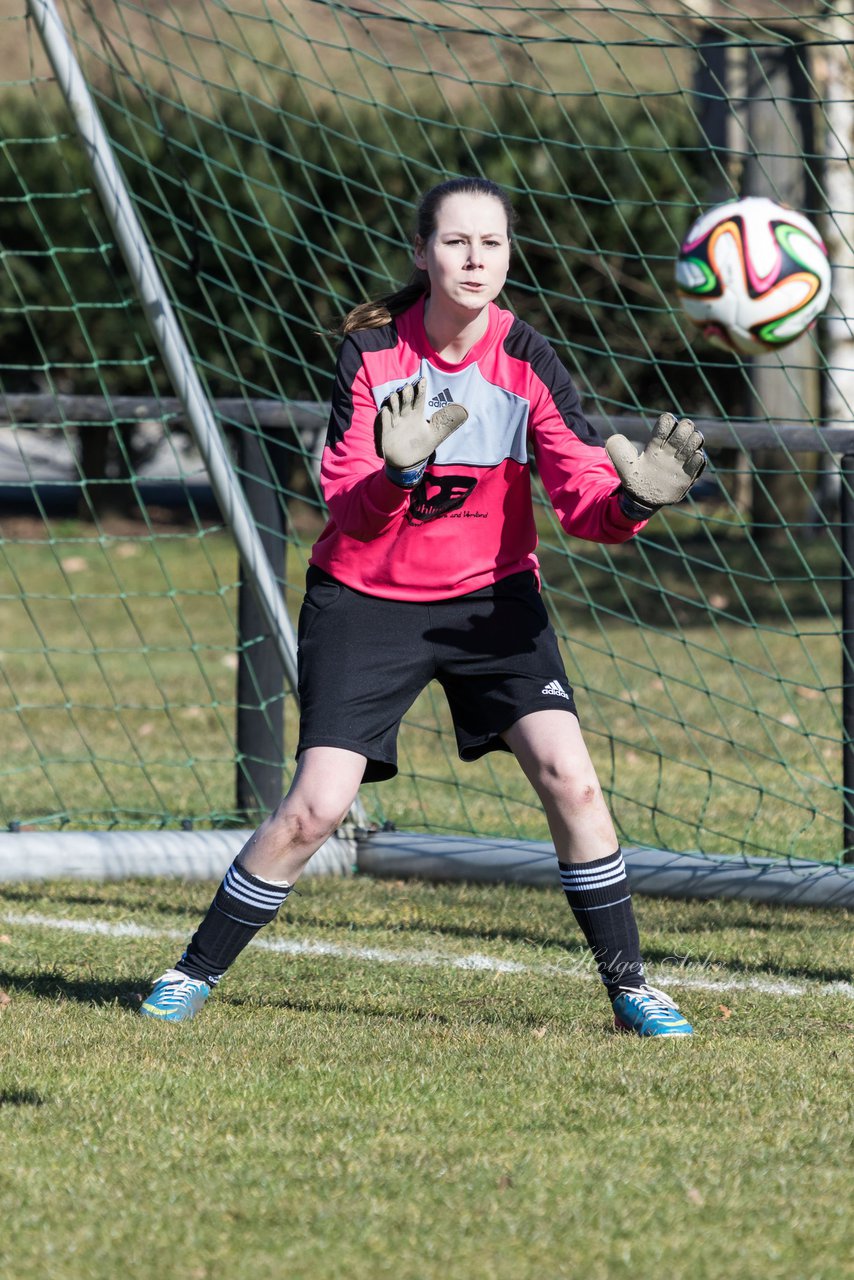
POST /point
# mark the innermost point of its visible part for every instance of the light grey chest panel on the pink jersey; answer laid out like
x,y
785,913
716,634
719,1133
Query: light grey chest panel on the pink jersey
x,y
497,424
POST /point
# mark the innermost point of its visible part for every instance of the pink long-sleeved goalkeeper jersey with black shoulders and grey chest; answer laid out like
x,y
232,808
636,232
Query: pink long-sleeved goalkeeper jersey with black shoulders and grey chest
x,y
471,522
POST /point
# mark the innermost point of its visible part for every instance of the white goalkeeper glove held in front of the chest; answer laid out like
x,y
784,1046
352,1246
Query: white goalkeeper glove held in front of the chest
x,y
407,440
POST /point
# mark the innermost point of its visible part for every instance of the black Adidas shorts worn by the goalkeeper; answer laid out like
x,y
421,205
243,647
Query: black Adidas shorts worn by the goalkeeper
x,y
364,661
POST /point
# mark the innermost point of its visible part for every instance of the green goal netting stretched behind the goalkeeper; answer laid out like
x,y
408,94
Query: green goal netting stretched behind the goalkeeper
x,y
275,154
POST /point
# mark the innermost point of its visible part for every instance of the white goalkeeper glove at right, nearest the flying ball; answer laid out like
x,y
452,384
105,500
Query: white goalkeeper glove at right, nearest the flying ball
x,y
664,472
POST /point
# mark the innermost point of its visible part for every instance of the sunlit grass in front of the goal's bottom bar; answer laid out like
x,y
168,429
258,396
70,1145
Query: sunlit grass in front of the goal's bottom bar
x,y
421,1084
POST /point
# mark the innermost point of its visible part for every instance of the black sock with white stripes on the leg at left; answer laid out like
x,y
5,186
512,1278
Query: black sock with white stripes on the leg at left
x,y
243,906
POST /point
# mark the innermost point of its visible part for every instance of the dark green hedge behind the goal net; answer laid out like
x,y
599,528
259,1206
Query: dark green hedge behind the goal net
x,y
270,222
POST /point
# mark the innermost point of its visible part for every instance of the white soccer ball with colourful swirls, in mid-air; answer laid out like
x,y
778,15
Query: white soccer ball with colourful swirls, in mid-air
x,y
753,276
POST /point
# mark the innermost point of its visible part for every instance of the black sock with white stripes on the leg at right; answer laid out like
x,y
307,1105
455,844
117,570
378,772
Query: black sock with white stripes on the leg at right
x,y
599,894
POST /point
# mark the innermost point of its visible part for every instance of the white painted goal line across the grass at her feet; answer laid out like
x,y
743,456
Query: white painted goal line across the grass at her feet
x,y
683,975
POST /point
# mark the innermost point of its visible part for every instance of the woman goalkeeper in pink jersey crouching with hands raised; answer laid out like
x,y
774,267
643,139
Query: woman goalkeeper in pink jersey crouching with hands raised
x,y
427,570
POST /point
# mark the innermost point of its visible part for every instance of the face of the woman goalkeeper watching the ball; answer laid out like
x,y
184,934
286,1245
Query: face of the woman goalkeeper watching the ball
x,y
468,255
